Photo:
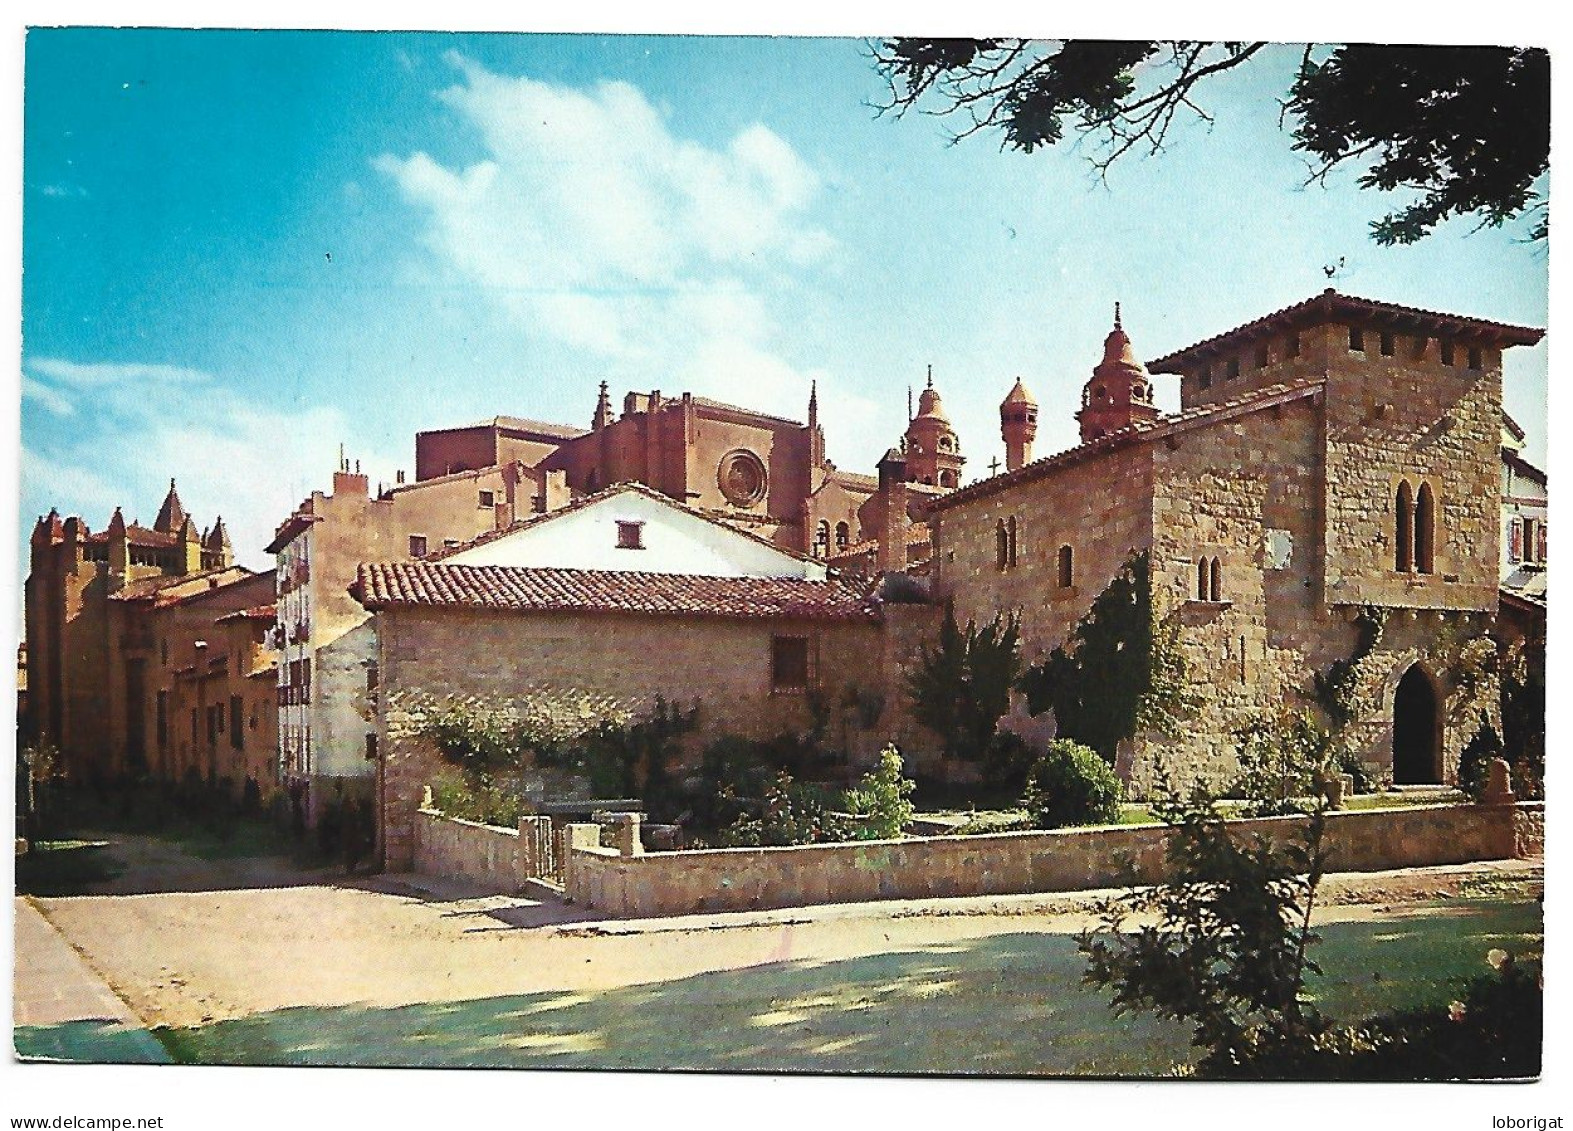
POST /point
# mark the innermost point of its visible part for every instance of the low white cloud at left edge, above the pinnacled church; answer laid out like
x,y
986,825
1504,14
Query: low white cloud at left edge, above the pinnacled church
x,y
123,432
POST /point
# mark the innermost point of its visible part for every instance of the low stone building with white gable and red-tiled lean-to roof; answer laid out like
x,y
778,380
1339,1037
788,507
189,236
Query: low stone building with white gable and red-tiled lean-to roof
x,y
600,610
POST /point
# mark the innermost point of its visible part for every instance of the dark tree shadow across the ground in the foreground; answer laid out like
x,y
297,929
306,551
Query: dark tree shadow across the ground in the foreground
x,y
1009,1004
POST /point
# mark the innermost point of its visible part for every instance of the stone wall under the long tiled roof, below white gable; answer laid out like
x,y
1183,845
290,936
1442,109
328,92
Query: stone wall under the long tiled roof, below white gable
x,y
589,668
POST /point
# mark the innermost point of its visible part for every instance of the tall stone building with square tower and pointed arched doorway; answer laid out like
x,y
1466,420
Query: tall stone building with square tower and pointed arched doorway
x,y
1332,463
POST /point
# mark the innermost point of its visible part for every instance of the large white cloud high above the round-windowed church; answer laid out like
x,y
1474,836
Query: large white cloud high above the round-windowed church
x,y
592,224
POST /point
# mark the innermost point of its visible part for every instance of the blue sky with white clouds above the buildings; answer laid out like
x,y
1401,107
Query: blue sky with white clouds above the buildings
x,y
243,249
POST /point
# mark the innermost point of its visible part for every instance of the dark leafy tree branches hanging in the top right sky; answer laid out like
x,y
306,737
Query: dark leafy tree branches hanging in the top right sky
x,y
1465,130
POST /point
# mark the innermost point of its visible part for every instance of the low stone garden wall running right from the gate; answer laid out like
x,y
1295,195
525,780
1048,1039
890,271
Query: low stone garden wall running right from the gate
x,y
632,883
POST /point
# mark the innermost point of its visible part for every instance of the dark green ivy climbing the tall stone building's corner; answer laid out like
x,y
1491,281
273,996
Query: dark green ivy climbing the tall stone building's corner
x,y
1119,672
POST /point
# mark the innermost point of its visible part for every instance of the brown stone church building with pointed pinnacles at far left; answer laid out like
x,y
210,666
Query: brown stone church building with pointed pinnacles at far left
x,y
95,658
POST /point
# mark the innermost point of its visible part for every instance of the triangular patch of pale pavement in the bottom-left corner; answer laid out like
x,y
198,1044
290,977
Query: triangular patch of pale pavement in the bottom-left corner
x,y
67,1012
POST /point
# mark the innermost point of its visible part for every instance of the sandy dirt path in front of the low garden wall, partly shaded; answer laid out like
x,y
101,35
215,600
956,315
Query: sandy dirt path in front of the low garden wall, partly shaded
x,y
410,959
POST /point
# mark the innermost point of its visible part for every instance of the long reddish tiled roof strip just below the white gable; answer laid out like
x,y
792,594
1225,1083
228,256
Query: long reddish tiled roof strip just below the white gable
x,y
515,589
